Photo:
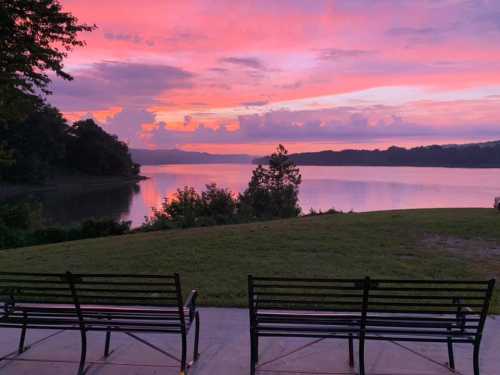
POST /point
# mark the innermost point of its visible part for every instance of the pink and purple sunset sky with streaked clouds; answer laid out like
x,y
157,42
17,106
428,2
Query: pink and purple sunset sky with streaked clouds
x,y
241,76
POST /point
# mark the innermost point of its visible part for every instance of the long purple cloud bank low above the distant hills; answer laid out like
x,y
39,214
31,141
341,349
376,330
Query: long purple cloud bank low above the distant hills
x,y
342,124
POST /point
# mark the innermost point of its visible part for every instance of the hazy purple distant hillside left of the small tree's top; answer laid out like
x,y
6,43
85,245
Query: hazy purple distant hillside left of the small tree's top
x,y
155,157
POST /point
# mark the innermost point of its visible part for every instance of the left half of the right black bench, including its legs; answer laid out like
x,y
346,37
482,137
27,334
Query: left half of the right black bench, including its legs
x,y
312,308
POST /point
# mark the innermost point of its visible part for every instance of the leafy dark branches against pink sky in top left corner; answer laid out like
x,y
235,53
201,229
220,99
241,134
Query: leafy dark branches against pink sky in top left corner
x,y
35,37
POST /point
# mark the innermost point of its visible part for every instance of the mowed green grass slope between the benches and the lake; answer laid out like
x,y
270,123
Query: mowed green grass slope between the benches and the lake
x,y
431,244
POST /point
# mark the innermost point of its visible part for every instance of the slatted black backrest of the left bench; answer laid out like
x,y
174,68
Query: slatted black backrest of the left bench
x,y
75,290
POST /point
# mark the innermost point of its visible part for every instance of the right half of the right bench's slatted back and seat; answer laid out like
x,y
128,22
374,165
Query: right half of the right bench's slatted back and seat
x,y
428,306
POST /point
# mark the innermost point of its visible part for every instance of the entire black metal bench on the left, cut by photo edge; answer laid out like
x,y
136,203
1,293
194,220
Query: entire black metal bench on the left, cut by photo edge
x,y
131,304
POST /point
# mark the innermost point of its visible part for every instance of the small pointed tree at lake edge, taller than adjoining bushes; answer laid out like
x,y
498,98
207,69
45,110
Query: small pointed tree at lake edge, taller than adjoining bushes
x,y
273,191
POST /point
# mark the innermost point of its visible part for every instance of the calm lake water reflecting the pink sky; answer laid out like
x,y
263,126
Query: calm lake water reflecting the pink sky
x,y
343,188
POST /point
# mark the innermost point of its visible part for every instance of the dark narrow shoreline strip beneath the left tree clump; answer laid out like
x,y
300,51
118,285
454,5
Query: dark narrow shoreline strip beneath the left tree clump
x,y
67,184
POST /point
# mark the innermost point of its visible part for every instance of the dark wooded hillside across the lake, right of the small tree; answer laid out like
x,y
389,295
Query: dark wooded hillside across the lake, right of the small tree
x,y
472,155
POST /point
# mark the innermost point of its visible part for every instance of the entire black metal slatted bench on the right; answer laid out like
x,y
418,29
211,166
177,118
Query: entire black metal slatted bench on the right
x,y
369,309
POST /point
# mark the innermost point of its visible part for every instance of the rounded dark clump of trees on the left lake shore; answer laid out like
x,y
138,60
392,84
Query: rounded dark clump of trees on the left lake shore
x,y
42,146
